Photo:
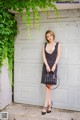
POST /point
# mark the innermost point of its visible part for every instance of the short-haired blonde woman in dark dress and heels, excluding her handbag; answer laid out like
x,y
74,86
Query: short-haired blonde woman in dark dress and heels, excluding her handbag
x,y
51,55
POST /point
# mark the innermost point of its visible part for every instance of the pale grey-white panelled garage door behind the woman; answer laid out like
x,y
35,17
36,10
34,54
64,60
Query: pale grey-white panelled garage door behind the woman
x,y
28,61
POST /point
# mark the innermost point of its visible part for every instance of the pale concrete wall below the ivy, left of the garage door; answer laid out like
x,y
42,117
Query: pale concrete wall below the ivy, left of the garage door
x,y
5,88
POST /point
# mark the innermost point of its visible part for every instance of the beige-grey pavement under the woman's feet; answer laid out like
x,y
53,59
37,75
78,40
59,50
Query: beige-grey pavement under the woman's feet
x,y
31,112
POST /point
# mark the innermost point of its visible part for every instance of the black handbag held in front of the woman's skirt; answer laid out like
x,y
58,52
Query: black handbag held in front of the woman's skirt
x,y
50,78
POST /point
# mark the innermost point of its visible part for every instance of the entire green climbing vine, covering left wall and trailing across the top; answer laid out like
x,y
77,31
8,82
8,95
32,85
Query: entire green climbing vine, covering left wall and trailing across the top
x,y
8,24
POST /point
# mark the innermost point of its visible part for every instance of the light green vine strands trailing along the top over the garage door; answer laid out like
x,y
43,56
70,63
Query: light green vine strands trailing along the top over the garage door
x,y
28,6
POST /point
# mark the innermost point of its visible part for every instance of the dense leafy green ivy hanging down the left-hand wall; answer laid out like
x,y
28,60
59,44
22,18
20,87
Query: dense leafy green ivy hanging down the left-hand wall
x,y
8,30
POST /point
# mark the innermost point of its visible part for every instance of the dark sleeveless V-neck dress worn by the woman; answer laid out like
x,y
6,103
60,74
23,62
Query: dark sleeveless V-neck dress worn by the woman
x,y
51,58
